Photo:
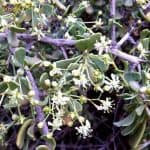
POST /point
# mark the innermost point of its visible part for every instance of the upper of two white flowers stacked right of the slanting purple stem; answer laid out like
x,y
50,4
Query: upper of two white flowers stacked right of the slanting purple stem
x,y
59,99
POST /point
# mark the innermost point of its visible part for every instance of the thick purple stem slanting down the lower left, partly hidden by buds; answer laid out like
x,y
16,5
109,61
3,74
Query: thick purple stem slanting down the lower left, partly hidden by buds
x,y
40,115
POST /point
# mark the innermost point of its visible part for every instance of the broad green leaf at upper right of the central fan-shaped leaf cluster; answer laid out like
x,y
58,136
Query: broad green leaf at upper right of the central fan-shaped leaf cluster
x,y
98,62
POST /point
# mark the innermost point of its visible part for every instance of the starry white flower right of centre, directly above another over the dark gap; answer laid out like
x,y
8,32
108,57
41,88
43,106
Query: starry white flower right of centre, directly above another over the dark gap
x,y
113,83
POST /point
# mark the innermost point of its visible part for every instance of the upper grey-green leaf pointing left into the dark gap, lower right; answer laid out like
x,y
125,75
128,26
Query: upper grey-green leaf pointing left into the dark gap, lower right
x,y
126,121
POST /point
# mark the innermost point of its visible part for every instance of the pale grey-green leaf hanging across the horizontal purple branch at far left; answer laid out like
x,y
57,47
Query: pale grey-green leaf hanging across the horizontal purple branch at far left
x,y
12,39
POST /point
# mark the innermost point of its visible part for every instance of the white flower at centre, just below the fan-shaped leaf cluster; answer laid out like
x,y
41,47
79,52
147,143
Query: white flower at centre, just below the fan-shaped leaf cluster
x,y
82,81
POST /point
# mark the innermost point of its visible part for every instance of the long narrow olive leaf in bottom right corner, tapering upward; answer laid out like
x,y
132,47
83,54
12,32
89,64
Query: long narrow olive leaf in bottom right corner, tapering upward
x,y
135,140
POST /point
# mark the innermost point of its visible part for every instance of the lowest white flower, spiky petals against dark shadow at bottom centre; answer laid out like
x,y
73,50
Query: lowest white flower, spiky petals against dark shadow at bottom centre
x,y
85,130
